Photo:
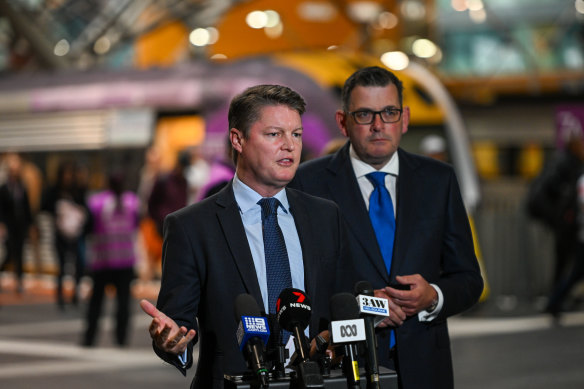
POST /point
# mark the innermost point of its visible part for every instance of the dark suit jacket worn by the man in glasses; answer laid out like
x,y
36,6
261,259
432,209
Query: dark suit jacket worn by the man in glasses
x,y
433,238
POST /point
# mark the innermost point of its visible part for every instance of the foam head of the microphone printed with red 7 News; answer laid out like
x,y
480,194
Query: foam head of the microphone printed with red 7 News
x,y
293,308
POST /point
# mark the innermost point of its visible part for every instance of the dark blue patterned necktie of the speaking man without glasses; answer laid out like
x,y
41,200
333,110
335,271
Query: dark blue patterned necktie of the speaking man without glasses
x,y
277,265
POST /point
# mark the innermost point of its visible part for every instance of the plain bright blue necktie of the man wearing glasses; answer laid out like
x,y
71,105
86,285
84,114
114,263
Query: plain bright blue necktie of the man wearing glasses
x,y
383,221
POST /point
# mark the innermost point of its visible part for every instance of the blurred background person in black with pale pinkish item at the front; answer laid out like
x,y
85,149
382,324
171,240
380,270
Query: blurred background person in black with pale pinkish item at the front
x,y
67,205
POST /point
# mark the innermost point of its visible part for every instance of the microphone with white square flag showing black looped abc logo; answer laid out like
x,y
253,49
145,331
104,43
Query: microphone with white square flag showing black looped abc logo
x,y
347,329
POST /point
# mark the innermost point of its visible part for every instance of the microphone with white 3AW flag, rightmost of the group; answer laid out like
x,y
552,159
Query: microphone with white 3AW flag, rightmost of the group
x,y
371,308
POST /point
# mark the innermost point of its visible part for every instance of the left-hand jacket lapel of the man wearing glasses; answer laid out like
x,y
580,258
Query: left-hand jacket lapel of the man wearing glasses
x,y
344,190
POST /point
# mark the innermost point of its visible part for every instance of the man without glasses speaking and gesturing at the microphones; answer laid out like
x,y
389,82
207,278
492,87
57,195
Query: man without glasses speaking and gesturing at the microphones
x,y
213,251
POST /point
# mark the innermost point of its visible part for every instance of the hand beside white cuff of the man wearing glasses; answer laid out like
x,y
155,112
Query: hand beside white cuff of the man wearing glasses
x,y
417,298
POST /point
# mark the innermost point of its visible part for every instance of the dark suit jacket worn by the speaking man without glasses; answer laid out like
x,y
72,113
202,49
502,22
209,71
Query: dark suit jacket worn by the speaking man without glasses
x,y
207,263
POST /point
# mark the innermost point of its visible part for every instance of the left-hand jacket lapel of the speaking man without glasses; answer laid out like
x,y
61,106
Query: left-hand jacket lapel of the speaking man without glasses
x,y
232,226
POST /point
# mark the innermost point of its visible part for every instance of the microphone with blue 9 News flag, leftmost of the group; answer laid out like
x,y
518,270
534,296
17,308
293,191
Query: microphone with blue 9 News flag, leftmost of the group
x,y
252,335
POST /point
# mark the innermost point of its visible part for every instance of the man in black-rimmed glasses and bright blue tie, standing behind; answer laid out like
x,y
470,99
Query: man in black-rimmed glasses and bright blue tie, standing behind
x,y
432,254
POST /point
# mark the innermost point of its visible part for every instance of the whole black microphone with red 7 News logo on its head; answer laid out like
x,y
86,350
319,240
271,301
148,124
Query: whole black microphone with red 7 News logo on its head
x,y
293,311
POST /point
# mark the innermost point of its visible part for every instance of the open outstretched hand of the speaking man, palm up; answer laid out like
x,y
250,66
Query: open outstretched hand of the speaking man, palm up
x,y
165,332
